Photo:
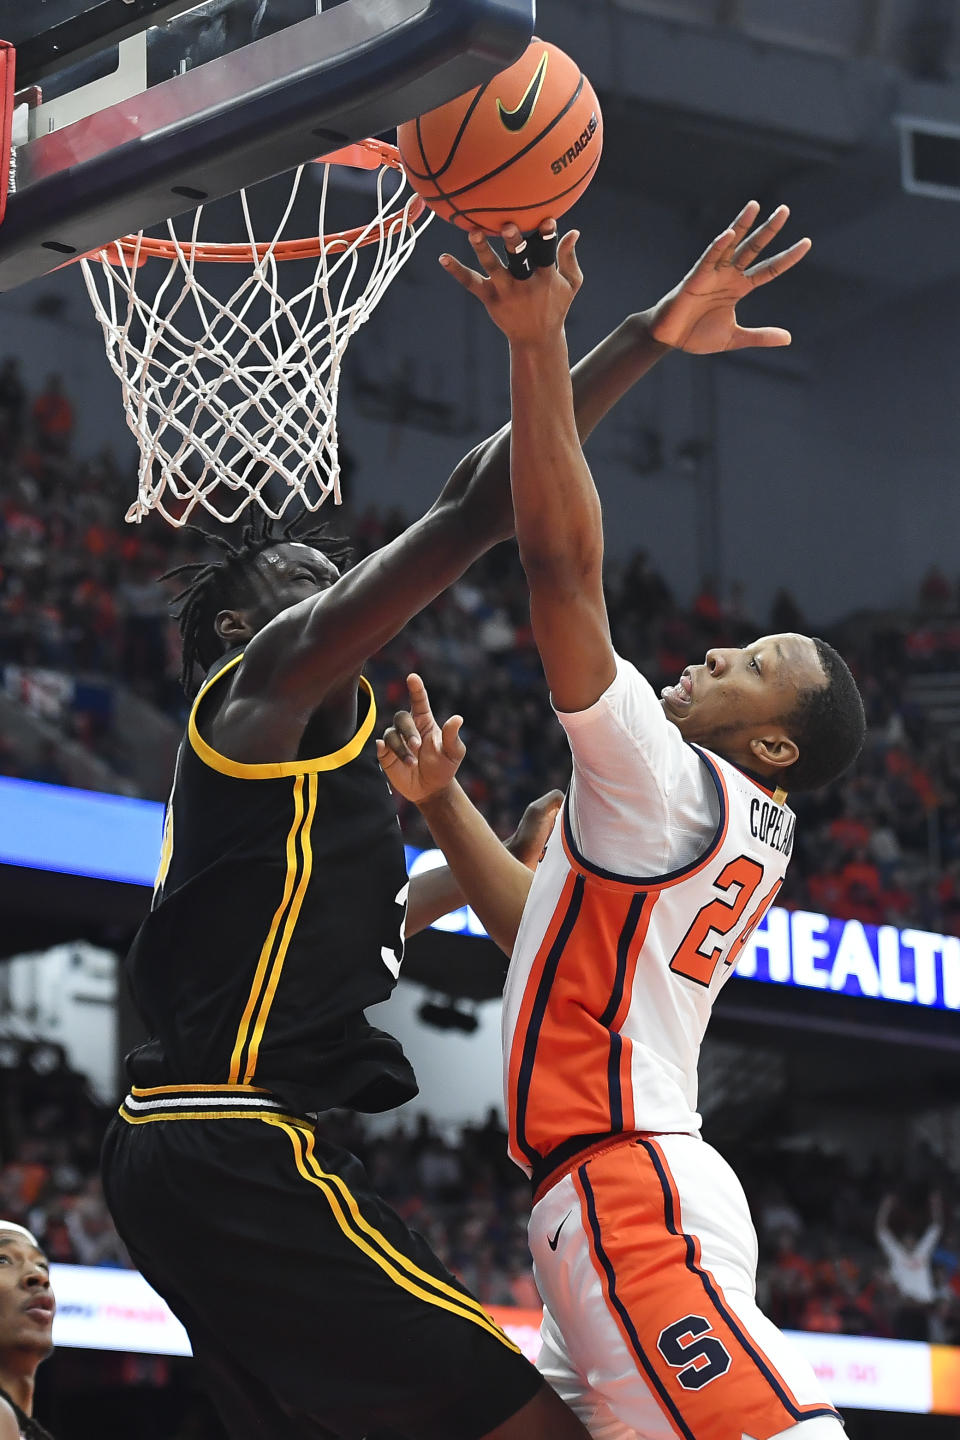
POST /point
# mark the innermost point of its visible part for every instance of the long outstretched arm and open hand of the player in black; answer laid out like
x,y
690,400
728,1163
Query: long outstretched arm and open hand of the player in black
x,y
320,646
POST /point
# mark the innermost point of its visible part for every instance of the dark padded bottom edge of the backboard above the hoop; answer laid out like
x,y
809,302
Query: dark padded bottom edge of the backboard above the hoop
x,y
280,102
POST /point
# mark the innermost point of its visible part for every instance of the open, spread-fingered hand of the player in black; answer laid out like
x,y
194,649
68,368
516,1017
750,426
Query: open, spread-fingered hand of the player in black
x,y
700,315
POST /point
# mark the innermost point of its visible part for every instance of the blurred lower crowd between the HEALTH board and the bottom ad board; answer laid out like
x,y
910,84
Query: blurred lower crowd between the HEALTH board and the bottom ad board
x,y
869,1252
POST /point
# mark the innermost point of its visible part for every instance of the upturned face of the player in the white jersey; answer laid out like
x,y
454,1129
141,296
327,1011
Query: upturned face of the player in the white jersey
x,y
741,695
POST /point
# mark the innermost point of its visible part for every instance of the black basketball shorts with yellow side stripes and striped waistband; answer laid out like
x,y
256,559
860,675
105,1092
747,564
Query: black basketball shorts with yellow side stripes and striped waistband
x,y
310,1305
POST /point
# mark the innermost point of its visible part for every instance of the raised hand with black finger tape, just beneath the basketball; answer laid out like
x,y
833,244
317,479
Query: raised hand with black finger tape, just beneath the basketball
x,y
526,310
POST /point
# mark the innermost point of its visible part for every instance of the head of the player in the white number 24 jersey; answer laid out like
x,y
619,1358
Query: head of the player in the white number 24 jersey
x,y
787,708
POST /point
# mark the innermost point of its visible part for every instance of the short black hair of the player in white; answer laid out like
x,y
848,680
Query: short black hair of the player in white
x,y
828,725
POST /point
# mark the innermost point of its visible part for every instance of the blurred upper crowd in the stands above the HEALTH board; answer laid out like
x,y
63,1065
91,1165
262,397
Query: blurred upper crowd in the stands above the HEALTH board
x,y
81,614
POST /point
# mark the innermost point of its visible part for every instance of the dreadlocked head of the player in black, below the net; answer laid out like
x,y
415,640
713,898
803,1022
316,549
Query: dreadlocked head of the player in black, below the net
x,y
230,600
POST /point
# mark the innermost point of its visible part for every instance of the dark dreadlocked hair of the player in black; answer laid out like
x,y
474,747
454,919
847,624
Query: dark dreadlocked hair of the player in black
x,y
227,582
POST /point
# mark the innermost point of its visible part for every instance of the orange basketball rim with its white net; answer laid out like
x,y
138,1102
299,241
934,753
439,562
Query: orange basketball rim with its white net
x,y
234,401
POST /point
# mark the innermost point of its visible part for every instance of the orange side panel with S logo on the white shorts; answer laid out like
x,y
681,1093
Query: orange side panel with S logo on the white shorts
x,y
709,1376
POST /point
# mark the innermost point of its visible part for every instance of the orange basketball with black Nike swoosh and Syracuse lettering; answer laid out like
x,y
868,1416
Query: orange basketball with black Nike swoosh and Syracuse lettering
x,y
522,148
